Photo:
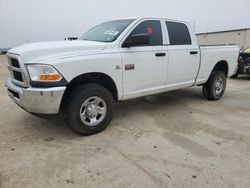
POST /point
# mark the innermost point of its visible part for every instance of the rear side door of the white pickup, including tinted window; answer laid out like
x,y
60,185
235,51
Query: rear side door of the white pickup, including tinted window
x,y
183,54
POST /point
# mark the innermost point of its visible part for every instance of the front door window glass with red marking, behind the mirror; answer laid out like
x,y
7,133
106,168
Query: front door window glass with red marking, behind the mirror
x,y
153,28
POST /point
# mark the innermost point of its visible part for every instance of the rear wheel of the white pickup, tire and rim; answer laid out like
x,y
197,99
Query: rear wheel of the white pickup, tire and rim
x,y
215,86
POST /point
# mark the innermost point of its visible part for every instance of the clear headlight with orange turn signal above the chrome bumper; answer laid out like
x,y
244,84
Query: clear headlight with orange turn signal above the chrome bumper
x,y
43,73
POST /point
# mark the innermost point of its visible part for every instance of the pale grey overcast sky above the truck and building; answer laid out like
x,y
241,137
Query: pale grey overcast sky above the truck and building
x,y
23,21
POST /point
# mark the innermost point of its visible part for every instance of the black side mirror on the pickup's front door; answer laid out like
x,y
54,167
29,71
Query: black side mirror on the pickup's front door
x,y
137,40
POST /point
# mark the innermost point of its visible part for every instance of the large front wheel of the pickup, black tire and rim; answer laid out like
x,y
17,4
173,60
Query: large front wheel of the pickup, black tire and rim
x,y
89,109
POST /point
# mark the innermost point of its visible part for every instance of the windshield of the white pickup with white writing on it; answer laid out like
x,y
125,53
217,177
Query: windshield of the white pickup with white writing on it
x,y
108,31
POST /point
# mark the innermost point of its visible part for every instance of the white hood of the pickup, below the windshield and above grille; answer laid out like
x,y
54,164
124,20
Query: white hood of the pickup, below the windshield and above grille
x,y
35,52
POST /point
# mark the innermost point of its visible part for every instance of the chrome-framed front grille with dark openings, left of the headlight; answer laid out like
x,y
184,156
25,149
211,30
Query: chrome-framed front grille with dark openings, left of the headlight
x,y
17,72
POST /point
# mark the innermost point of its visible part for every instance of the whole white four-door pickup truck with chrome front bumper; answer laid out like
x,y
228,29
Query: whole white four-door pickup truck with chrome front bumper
x,y
115,61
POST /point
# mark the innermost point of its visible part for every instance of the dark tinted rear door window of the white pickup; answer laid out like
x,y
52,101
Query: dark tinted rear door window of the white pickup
x,y
178,34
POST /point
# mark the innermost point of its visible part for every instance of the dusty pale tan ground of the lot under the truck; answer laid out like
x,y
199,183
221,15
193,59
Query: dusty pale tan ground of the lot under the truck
x,y
177,139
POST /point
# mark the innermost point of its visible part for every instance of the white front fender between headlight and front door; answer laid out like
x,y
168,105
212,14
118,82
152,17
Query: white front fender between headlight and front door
x,y
107,64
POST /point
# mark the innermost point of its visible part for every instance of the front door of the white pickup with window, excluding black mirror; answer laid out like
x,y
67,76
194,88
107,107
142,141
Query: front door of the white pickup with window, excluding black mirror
x,y
145,66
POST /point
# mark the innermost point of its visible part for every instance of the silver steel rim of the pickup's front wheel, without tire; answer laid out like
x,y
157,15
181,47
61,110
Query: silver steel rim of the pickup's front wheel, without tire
x,y
93,111
